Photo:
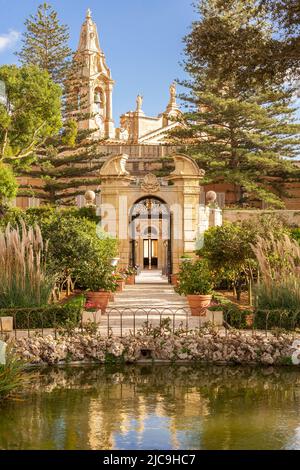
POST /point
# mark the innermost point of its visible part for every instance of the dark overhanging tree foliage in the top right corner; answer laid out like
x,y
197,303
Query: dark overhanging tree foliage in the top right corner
x,y
254,43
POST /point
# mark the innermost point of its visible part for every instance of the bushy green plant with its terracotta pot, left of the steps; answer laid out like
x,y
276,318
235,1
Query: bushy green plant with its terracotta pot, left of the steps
x,y
99,283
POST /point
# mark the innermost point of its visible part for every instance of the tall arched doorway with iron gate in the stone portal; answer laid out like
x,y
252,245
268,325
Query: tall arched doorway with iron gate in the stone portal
x,y
150,231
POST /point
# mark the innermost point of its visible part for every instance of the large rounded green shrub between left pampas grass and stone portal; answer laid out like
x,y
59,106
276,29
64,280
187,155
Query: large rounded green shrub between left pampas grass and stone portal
x,y
75,242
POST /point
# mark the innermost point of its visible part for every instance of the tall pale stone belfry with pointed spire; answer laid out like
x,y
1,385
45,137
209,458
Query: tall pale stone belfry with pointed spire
x,y
95,84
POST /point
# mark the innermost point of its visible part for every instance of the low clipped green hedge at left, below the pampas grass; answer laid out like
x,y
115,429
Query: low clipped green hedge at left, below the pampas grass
x,y
46,317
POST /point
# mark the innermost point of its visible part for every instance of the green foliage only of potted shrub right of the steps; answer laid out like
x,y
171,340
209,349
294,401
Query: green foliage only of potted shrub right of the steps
x,y
195,278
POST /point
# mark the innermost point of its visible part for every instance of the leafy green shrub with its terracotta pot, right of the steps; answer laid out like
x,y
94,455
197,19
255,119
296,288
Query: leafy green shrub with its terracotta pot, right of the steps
x,y
195,282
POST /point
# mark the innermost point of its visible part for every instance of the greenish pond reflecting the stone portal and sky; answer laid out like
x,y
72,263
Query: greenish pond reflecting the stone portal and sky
x,y
155,407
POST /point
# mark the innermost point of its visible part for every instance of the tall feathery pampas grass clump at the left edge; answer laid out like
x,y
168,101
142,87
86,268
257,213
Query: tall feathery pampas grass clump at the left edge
x,y
23,278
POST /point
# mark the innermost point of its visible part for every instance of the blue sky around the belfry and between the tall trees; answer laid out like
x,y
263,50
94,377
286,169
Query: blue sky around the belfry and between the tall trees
x,y
142,41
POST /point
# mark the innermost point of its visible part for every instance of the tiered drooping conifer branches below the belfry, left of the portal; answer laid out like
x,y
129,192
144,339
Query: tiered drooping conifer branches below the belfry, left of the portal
x,y
67,165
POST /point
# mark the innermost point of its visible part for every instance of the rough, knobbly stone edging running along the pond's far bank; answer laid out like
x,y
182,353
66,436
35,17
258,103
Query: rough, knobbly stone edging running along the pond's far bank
x,y
209,346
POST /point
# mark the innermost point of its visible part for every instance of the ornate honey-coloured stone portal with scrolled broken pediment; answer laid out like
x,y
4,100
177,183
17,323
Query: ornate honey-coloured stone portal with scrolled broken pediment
x,y
159,216
